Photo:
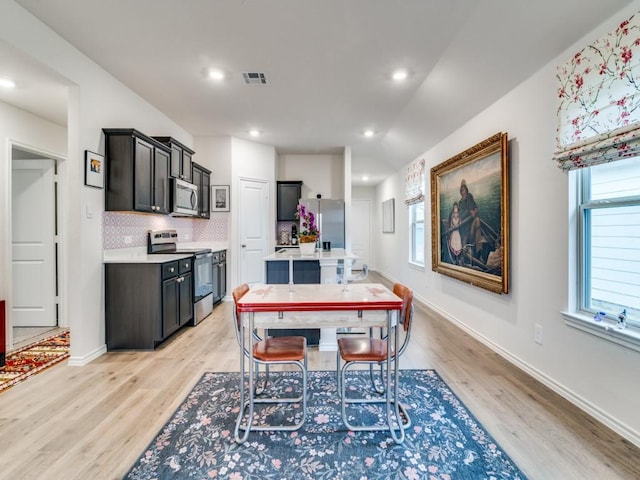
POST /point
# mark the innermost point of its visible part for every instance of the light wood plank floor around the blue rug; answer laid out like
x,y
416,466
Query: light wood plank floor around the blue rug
x,y
92,422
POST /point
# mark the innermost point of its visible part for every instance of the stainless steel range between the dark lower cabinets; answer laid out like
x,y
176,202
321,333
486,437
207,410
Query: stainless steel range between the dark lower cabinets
x,y
165,241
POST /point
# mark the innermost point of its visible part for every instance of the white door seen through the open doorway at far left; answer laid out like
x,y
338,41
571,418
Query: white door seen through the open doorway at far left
x,y
33,244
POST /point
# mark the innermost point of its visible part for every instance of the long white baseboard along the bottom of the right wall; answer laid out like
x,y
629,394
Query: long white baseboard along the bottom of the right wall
x,y
583,404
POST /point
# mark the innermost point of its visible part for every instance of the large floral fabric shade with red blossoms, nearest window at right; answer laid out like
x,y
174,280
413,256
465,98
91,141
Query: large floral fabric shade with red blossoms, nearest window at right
x,y
599,93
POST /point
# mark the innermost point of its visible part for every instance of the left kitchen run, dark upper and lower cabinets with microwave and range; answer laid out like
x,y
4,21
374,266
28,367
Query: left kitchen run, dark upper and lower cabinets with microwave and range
x,y
149,297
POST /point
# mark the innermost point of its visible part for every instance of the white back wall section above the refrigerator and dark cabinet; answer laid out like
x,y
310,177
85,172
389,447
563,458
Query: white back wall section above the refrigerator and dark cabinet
x,y
321,174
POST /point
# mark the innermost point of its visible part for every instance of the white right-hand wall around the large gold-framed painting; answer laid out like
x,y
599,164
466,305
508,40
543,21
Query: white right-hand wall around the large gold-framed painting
x,y
599,376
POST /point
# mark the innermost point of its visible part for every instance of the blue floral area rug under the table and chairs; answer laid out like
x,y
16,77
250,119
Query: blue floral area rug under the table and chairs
x,y
443,442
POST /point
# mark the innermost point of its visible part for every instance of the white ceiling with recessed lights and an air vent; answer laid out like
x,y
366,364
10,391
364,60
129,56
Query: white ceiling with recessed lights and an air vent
x,y
327,63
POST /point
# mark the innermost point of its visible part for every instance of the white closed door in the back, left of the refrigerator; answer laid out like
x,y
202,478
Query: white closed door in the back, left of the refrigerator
x,y
254,230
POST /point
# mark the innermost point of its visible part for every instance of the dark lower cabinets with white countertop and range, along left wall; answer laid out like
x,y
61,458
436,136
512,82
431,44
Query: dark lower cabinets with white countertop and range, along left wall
x,y
152,292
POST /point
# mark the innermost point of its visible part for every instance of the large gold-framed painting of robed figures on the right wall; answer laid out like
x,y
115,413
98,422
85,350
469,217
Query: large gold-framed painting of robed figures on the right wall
x,y
470,215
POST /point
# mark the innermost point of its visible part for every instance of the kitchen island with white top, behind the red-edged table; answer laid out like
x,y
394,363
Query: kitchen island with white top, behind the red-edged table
x,y
324,266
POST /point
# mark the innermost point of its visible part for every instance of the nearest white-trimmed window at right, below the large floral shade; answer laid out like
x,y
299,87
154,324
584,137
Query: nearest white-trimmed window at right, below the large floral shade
x,y
609,240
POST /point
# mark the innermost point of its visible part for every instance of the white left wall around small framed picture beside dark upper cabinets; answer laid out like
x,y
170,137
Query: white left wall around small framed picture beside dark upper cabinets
x,y
96,100
